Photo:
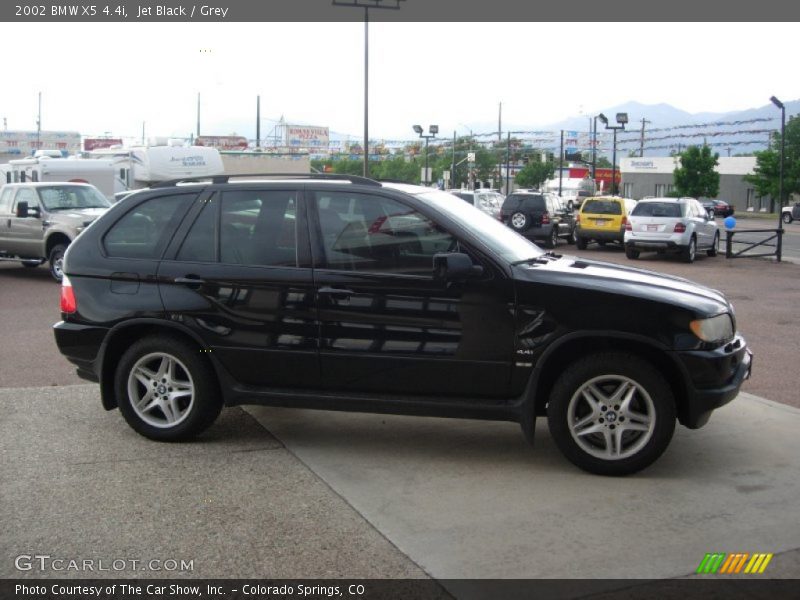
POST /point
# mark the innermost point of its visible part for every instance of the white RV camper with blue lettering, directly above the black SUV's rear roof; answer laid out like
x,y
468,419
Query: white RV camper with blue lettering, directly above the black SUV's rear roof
x,y
138,167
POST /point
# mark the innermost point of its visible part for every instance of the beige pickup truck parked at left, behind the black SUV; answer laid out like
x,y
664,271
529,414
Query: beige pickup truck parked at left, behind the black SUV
x,y
38,221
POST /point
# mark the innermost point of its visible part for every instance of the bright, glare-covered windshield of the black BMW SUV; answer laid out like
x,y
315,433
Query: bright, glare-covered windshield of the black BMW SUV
x,y
499,238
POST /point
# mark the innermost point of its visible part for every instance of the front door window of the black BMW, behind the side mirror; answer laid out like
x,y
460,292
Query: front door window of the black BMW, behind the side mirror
x,y
372,233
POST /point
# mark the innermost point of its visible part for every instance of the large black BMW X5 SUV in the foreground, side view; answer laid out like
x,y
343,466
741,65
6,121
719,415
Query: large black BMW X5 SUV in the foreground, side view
x,y
348,294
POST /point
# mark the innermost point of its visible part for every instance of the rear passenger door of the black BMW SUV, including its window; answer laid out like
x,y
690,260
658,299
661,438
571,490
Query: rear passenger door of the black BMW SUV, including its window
x,y
239,276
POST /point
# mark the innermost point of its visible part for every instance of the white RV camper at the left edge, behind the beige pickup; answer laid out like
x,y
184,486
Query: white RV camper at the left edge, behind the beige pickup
x,y
44,167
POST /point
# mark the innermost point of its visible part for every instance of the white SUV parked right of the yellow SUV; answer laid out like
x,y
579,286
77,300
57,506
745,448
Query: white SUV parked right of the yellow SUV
x,y
679,225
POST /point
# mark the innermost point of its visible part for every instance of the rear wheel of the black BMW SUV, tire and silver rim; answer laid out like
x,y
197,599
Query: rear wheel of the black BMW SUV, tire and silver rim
x,y
185,399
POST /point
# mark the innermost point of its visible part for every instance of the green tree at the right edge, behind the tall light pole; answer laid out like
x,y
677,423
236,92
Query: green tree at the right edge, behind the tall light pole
x,y
766,175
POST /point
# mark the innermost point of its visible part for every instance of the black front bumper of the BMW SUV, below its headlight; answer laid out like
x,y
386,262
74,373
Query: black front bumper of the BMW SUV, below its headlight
x,y
715,378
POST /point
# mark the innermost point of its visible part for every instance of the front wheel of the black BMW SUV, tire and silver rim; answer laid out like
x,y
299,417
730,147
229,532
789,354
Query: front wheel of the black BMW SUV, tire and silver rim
x,y
632,413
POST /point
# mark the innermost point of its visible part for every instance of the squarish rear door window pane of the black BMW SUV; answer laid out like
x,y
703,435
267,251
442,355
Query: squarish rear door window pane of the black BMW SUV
x,y
259,227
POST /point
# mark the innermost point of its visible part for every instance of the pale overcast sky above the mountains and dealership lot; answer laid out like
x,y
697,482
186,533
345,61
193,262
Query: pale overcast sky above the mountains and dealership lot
x,y
110,78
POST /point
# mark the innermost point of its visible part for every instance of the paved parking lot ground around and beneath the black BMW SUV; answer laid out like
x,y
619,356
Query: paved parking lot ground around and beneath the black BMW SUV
x,y
291,493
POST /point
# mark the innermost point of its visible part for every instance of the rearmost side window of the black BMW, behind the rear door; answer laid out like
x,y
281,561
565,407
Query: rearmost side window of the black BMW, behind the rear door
x,y
146,229
